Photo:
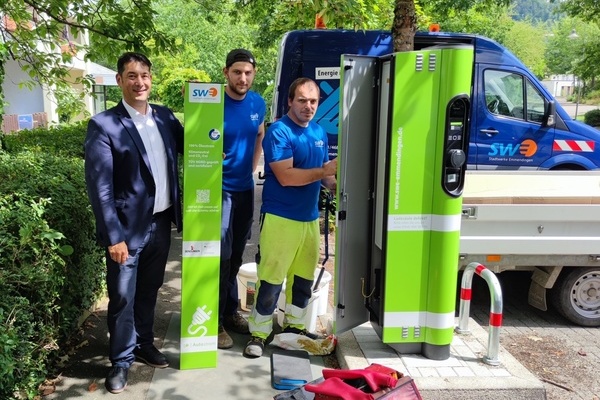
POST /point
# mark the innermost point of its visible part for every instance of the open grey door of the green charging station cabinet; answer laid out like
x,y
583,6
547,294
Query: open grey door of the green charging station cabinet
x,y
356,147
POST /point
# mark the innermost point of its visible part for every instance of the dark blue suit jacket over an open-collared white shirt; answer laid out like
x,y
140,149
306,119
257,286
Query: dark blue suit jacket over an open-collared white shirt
x,y
118,175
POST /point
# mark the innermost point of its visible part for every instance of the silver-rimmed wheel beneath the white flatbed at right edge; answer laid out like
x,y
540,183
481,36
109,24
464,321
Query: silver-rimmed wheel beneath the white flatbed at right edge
x,y
576,296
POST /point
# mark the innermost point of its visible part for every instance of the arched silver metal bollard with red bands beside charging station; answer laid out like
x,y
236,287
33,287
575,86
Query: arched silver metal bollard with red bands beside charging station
x,y
495,310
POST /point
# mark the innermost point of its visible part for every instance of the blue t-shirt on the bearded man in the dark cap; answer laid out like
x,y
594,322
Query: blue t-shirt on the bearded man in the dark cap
x,y
242,120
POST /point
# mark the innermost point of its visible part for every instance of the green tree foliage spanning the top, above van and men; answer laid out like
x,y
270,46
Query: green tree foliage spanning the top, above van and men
x,y
197,34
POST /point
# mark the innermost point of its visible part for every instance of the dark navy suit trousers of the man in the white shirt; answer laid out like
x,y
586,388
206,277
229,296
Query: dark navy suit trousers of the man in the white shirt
x,y
133,290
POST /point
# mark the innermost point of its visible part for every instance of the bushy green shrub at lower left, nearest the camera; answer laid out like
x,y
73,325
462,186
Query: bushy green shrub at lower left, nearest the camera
x,y
31,281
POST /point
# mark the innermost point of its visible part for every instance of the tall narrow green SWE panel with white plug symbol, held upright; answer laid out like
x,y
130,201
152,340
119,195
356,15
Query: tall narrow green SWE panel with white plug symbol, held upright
x,y
202,184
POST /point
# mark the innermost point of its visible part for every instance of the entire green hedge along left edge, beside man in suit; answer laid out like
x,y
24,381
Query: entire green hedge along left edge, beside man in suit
x,y
51,269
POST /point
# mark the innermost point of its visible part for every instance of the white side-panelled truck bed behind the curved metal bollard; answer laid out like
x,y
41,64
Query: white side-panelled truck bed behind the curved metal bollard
x,y
550,213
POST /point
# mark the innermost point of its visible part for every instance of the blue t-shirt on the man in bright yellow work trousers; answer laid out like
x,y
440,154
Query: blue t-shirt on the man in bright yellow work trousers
x,y
308,147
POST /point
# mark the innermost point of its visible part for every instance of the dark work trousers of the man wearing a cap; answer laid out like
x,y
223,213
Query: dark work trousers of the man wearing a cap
x,y
236,224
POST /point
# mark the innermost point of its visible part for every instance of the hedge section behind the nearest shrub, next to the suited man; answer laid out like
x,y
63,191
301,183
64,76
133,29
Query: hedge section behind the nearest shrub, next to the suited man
x,y
61,179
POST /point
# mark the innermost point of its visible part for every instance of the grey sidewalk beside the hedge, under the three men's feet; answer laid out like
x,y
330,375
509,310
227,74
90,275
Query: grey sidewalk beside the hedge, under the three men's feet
x,y
235,377
